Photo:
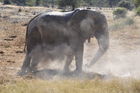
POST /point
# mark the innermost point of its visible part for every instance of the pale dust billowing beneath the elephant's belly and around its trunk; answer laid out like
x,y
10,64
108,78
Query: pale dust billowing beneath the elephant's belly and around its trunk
x,y
117,62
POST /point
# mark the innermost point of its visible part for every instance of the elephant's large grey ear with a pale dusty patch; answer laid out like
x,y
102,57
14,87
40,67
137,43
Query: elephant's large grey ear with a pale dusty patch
x,y
83,22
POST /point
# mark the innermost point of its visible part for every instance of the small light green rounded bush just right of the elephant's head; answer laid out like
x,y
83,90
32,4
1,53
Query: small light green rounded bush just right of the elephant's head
x,y
120,12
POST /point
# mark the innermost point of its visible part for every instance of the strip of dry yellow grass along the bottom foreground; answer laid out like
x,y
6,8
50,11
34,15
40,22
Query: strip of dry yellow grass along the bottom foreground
x,y
72,86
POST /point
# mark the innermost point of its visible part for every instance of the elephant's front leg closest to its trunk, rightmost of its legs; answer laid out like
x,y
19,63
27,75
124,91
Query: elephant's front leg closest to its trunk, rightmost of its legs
x,y
79,59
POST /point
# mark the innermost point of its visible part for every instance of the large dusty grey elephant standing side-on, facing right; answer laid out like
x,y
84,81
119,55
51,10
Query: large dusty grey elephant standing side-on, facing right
x,y
73,29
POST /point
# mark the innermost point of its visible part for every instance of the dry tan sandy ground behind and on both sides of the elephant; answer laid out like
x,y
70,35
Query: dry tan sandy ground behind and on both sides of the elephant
x,y
122,58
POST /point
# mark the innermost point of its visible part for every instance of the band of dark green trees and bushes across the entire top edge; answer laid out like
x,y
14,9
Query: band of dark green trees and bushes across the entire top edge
x,y
128,4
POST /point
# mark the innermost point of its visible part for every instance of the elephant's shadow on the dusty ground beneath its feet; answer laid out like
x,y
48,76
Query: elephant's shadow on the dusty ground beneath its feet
x,y
50,74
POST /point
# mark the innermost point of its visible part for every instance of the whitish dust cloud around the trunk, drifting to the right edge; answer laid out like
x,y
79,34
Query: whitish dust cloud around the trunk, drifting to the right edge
x,y
117,62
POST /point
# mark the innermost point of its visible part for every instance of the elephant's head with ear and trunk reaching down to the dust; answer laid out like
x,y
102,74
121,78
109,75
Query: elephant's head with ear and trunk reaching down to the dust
x,y
89,24
